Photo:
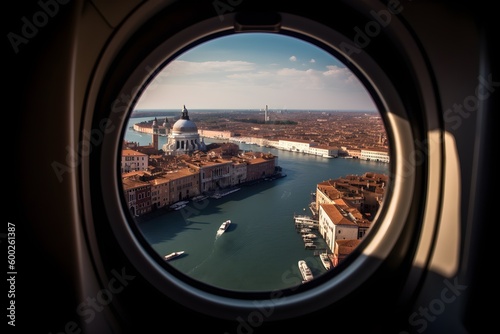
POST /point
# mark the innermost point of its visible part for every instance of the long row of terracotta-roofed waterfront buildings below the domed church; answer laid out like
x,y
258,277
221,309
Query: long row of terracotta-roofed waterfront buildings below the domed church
x,y
184,177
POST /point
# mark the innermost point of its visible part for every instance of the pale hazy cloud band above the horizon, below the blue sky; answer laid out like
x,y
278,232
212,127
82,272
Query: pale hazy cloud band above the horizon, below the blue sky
x,y
241,84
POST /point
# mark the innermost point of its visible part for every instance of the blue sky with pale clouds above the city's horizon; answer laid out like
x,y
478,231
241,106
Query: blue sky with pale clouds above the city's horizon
x,y
252,70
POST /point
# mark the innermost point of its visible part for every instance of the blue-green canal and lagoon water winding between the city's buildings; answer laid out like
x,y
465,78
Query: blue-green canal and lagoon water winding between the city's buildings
x,y
261,248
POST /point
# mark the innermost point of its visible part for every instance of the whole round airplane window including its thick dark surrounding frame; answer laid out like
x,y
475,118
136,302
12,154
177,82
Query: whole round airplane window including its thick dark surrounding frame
x,y
260,157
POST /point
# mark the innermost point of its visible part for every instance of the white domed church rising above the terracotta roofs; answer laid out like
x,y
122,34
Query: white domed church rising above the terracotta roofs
x,y
184,137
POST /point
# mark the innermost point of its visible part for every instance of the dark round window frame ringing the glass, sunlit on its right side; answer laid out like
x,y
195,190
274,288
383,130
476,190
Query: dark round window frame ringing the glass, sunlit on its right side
x,y
389,236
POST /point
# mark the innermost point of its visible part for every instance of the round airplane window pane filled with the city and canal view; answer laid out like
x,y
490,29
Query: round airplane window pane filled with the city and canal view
x,y
254,162
